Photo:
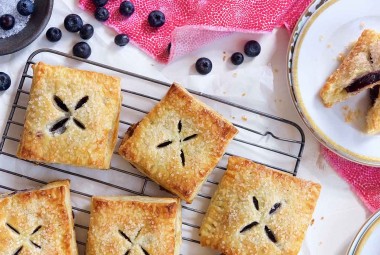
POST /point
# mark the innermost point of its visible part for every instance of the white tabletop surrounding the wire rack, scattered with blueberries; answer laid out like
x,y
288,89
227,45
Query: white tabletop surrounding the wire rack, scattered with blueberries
x,y
339,213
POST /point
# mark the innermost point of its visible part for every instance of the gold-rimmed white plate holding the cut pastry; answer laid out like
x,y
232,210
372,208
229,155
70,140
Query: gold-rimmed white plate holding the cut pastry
x,y
326,30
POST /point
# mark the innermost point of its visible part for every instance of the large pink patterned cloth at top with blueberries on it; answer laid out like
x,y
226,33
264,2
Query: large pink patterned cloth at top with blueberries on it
x,y
191,24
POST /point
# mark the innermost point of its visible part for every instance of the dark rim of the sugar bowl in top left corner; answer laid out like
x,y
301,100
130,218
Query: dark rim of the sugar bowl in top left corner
x,y
33,29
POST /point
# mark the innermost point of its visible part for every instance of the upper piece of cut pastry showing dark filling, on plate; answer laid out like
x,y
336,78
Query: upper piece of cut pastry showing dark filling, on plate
x,y
359,70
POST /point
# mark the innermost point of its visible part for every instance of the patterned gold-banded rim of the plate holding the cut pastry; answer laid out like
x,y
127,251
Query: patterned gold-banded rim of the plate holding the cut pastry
x,y
305,21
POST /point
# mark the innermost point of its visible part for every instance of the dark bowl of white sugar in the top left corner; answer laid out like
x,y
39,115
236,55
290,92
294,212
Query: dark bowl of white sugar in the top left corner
x,y
21,29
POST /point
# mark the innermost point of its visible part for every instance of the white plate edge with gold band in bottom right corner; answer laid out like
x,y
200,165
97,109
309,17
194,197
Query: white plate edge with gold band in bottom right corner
x,y
366,241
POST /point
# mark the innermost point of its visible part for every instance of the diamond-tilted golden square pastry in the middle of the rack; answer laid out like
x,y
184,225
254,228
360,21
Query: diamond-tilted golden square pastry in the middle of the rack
x,y
178,143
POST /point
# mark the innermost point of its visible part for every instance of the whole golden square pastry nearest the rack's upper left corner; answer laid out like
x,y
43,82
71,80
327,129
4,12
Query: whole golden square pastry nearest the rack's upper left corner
x,y
72,117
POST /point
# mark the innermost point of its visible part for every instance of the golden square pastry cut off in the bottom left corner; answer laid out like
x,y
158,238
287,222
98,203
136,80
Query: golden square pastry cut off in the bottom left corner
x,y
38,221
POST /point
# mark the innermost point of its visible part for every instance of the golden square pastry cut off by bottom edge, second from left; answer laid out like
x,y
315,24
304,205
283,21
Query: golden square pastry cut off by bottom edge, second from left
x,y
134,225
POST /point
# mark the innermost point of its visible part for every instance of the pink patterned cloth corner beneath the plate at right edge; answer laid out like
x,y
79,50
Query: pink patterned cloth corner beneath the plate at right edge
x,y
364,180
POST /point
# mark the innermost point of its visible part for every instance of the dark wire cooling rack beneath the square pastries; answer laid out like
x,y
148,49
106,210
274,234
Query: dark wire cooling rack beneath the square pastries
x,y
253,139
